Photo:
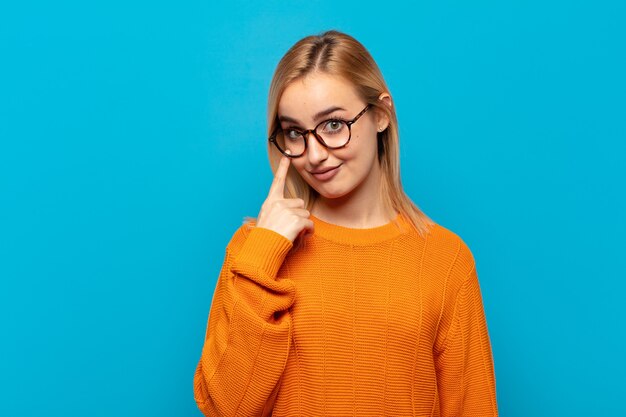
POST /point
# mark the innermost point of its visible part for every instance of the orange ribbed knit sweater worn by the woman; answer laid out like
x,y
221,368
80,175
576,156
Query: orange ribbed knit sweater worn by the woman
x,y
358,322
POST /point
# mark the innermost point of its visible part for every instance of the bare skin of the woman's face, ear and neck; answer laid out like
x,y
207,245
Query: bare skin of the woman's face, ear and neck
x,y
348,199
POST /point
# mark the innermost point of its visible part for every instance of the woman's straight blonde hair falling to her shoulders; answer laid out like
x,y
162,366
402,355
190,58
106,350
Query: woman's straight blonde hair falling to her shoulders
x,y
338,54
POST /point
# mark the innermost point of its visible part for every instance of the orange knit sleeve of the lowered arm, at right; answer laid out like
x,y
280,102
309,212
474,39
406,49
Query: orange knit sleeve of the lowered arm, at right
x,y
465,370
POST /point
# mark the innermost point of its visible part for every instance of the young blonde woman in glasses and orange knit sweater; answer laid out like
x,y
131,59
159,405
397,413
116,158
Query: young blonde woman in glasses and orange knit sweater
x,y
342,297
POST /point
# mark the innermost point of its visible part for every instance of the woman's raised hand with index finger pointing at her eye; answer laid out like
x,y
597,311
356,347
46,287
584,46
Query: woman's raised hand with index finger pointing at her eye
x,y
286,216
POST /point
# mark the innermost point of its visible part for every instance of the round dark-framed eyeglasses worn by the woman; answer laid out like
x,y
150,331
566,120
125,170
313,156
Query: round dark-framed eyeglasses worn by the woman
x,y
331,133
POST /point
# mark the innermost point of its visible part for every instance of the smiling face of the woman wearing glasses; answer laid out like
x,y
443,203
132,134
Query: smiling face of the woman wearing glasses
x,y
357,162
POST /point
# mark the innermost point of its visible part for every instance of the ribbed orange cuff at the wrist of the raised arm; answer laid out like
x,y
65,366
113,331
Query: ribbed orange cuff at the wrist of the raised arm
x,y
265,249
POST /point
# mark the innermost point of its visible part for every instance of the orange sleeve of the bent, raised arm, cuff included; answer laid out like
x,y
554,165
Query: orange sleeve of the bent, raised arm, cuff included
x,y
249,328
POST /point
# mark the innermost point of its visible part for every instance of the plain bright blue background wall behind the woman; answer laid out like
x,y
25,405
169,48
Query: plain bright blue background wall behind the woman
x,y
132,144
